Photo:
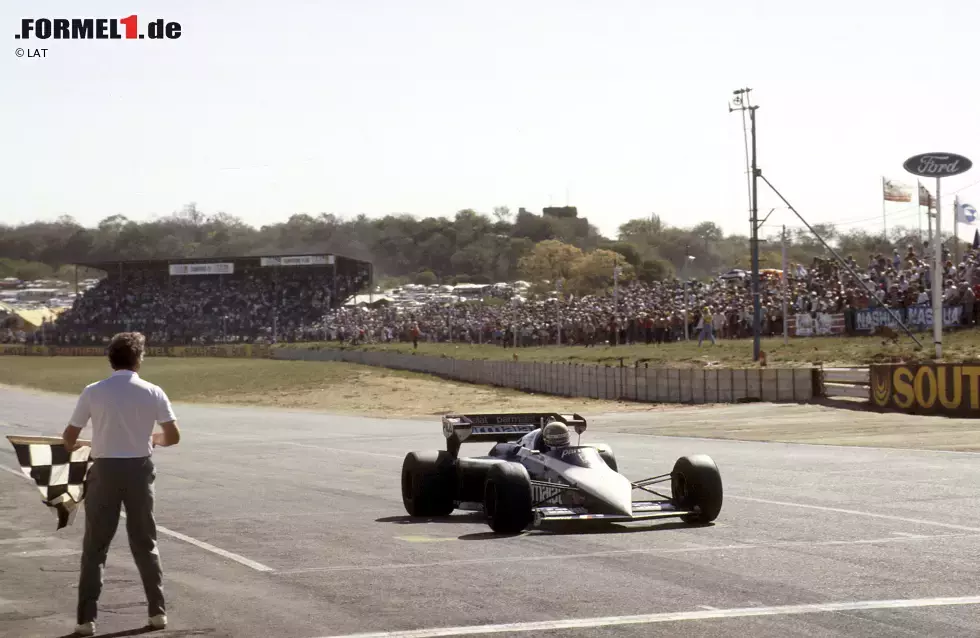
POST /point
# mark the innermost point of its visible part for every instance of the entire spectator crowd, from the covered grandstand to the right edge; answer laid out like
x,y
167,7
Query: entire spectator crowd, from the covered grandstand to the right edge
x,y
265,305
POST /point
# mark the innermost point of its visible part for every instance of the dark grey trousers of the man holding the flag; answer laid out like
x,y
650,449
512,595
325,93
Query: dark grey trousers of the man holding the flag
x,y
113,483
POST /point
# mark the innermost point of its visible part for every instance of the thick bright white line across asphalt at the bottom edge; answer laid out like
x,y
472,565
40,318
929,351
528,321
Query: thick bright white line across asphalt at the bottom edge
x,y
682,616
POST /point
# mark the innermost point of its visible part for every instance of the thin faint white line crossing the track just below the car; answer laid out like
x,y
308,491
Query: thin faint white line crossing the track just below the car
x,y
613,553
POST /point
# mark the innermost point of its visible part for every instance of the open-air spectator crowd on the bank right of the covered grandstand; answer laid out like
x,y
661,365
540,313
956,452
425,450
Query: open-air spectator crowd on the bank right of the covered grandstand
x,y
655,312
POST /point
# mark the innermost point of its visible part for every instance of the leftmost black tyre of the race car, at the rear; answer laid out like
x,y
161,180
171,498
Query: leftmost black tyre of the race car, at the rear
x,y
429,483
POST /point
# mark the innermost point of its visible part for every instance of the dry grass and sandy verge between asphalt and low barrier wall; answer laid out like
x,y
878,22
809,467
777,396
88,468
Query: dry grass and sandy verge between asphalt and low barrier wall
x,y
335,387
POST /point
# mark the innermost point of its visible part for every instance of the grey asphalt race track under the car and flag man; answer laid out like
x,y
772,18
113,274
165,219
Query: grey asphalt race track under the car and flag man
x,y
290,524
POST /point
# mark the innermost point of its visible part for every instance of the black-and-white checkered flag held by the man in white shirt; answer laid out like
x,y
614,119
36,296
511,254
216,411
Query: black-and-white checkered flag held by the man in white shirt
x,y
58,473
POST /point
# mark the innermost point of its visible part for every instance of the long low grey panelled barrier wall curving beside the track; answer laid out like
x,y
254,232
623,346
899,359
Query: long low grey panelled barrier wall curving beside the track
x,y
639,383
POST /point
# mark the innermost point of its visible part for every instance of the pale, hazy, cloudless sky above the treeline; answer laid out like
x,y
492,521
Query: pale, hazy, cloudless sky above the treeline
x,y
426,107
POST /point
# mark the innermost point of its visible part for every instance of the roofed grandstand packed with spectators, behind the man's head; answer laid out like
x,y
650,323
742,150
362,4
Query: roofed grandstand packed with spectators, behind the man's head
x,y
260,299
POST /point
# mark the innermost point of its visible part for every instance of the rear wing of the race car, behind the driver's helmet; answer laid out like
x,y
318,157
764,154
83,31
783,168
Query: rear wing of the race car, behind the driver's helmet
x,y
499,428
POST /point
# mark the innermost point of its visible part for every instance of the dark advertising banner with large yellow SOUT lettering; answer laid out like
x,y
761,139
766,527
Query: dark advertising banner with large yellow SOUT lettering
x,y
927,388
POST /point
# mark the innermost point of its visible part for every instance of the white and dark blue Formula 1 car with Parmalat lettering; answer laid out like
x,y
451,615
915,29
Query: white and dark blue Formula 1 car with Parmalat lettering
x,y
519,486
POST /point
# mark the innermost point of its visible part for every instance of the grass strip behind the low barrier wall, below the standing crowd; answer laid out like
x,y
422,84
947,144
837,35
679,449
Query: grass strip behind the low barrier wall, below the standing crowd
x,y
829,351
